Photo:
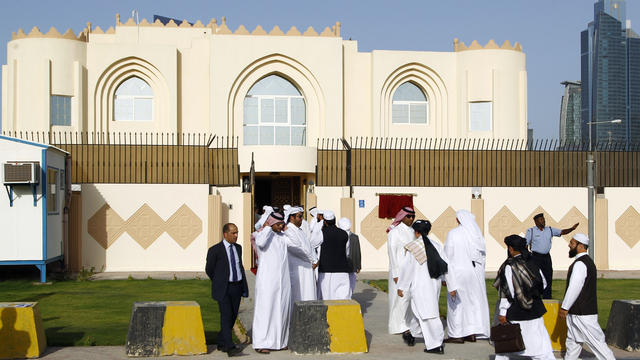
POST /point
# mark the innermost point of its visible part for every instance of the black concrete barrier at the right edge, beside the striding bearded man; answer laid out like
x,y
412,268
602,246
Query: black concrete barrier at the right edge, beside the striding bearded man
x,y
623,326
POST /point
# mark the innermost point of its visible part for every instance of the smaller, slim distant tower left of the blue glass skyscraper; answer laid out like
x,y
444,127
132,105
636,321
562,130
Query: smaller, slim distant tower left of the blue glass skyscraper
x,y
570,115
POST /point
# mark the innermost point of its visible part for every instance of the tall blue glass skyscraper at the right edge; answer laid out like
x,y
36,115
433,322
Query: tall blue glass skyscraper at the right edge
x,y
610,64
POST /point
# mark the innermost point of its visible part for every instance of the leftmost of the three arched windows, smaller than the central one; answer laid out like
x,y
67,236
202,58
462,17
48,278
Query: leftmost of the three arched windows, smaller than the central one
x,y
133,101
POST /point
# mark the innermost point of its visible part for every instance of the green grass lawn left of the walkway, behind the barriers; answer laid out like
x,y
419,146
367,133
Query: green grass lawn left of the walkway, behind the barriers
x,y
98,312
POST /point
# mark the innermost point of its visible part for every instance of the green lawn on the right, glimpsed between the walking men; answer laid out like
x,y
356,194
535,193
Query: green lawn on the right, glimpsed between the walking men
x,y
608,290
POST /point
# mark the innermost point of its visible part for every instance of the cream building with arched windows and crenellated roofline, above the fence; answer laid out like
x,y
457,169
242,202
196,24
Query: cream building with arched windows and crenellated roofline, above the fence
x,y
197,78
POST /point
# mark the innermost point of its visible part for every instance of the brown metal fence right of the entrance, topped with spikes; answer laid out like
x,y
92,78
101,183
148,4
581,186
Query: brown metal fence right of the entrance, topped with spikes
x,y
472,162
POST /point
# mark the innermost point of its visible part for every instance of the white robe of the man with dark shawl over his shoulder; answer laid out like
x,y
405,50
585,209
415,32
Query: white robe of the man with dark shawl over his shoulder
x,y
425,293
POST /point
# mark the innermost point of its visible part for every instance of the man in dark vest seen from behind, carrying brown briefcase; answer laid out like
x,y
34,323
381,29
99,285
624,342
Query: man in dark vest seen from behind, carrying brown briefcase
x,y
520,284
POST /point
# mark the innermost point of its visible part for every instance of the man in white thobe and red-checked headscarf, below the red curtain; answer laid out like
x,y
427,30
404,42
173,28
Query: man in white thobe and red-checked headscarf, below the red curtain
x,y
400,234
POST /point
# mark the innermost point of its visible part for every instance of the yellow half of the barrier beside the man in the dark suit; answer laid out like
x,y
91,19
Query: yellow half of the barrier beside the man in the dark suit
x,y
183,332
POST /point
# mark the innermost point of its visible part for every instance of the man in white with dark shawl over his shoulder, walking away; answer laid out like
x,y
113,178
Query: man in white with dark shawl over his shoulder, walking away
x,y
422,271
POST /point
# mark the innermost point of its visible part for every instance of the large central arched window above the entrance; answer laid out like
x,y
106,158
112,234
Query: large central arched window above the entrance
x,y
274,114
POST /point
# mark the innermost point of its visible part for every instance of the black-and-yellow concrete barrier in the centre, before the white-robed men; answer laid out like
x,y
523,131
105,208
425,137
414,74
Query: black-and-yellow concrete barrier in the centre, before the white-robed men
x,y
329,326
